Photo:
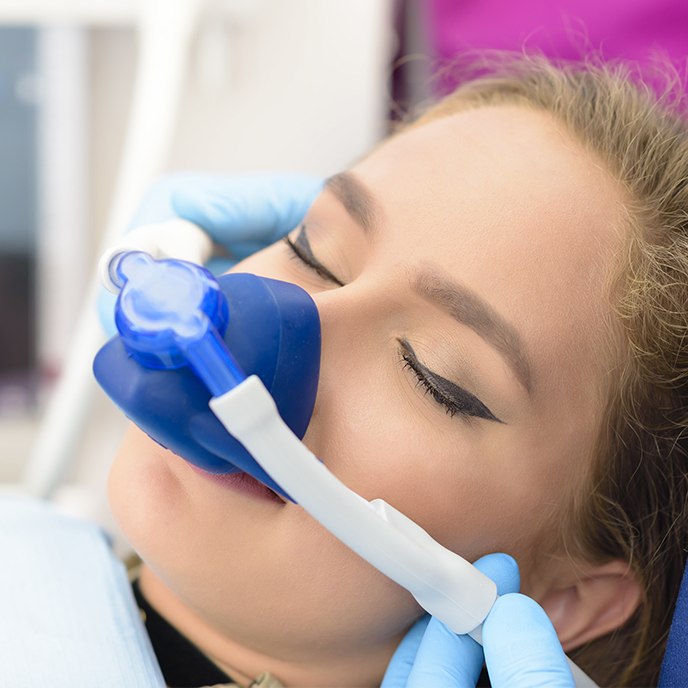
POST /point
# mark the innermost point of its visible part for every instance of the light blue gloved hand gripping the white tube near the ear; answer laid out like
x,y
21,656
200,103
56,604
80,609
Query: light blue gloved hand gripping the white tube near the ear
x,y
520,645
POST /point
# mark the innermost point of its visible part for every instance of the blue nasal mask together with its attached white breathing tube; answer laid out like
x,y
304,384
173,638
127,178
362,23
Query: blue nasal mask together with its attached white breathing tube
x,y
224,372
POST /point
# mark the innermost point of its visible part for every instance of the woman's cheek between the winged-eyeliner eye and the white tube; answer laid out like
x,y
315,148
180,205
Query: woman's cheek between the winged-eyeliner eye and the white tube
x,y
473,487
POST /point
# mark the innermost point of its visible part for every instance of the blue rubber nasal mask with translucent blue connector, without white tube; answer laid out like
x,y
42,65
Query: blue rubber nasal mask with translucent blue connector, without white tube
x,y
172,316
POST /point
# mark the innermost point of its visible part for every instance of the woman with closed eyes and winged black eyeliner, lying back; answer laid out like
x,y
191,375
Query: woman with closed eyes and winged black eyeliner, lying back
x,y
502,287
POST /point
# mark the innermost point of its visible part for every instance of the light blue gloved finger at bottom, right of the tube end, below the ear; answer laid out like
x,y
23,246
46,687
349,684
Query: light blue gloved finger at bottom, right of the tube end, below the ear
x,y
521,646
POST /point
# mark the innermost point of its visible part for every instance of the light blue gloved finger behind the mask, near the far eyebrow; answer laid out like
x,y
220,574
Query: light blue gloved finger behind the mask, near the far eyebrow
x,y
260,207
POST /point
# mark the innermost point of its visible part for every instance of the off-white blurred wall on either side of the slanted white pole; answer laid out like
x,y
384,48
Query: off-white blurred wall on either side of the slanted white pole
x,y
298,85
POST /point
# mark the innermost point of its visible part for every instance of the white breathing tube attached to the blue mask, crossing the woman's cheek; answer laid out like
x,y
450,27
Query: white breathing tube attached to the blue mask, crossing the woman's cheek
x,y
444,583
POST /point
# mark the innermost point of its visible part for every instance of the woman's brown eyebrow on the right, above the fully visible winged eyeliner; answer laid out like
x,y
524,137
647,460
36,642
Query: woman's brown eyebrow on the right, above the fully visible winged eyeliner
x,y
467,307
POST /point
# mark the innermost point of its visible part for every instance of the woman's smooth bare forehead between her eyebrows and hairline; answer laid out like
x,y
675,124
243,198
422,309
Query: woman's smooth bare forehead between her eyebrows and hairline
x,y
508,203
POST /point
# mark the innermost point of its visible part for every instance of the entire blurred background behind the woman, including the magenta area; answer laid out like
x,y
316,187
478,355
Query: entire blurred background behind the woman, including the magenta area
x,y
100,97
